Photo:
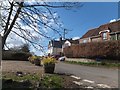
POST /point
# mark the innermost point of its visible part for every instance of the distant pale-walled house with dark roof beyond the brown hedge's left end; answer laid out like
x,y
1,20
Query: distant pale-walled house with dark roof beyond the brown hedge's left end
x,y
55,47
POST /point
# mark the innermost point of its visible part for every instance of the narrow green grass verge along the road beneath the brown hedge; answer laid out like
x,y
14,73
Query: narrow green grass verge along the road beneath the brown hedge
x,y
105,64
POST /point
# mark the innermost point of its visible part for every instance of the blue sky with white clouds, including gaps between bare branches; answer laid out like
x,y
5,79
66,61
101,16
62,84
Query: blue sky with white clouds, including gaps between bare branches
x,y
78,21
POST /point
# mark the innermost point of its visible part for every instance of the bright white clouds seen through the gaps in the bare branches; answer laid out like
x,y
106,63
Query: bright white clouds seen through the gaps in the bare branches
x,y
14,40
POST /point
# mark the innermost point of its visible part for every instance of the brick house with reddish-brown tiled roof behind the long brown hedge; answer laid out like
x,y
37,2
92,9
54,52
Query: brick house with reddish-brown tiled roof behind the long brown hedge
x,y
109,31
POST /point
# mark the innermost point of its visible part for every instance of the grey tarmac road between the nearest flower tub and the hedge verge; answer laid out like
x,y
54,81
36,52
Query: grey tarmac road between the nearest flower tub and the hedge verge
x,y
96,74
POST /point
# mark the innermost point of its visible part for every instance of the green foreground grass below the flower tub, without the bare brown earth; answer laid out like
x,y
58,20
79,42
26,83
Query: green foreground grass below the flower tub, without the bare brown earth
x,y
47,81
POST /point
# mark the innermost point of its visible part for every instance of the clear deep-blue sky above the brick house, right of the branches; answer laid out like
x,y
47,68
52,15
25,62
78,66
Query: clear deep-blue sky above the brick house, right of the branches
x,y
90,15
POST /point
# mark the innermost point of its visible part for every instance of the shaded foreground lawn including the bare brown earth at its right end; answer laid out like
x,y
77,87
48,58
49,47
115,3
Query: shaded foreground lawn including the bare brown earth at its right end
x,y
28,81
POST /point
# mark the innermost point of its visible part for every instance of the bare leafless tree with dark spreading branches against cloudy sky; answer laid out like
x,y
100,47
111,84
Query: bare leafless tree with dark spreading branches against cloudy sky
x,y
25,18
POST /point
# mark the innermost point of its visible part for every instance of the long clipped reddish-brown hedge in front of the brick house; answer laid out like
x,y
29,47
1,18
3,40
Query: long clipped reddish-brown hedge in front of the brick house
x,y
106,50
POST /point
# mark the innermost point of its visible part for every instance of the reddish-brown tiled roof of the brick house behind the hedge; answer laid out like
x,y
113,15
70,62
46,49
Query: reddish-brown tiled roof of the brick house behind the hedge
x,y
113,27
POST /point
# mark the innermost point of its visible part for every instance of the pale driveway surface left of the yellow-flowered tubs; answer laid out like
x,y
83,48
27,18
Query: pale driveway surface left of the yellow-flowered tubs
x,y
24,66
